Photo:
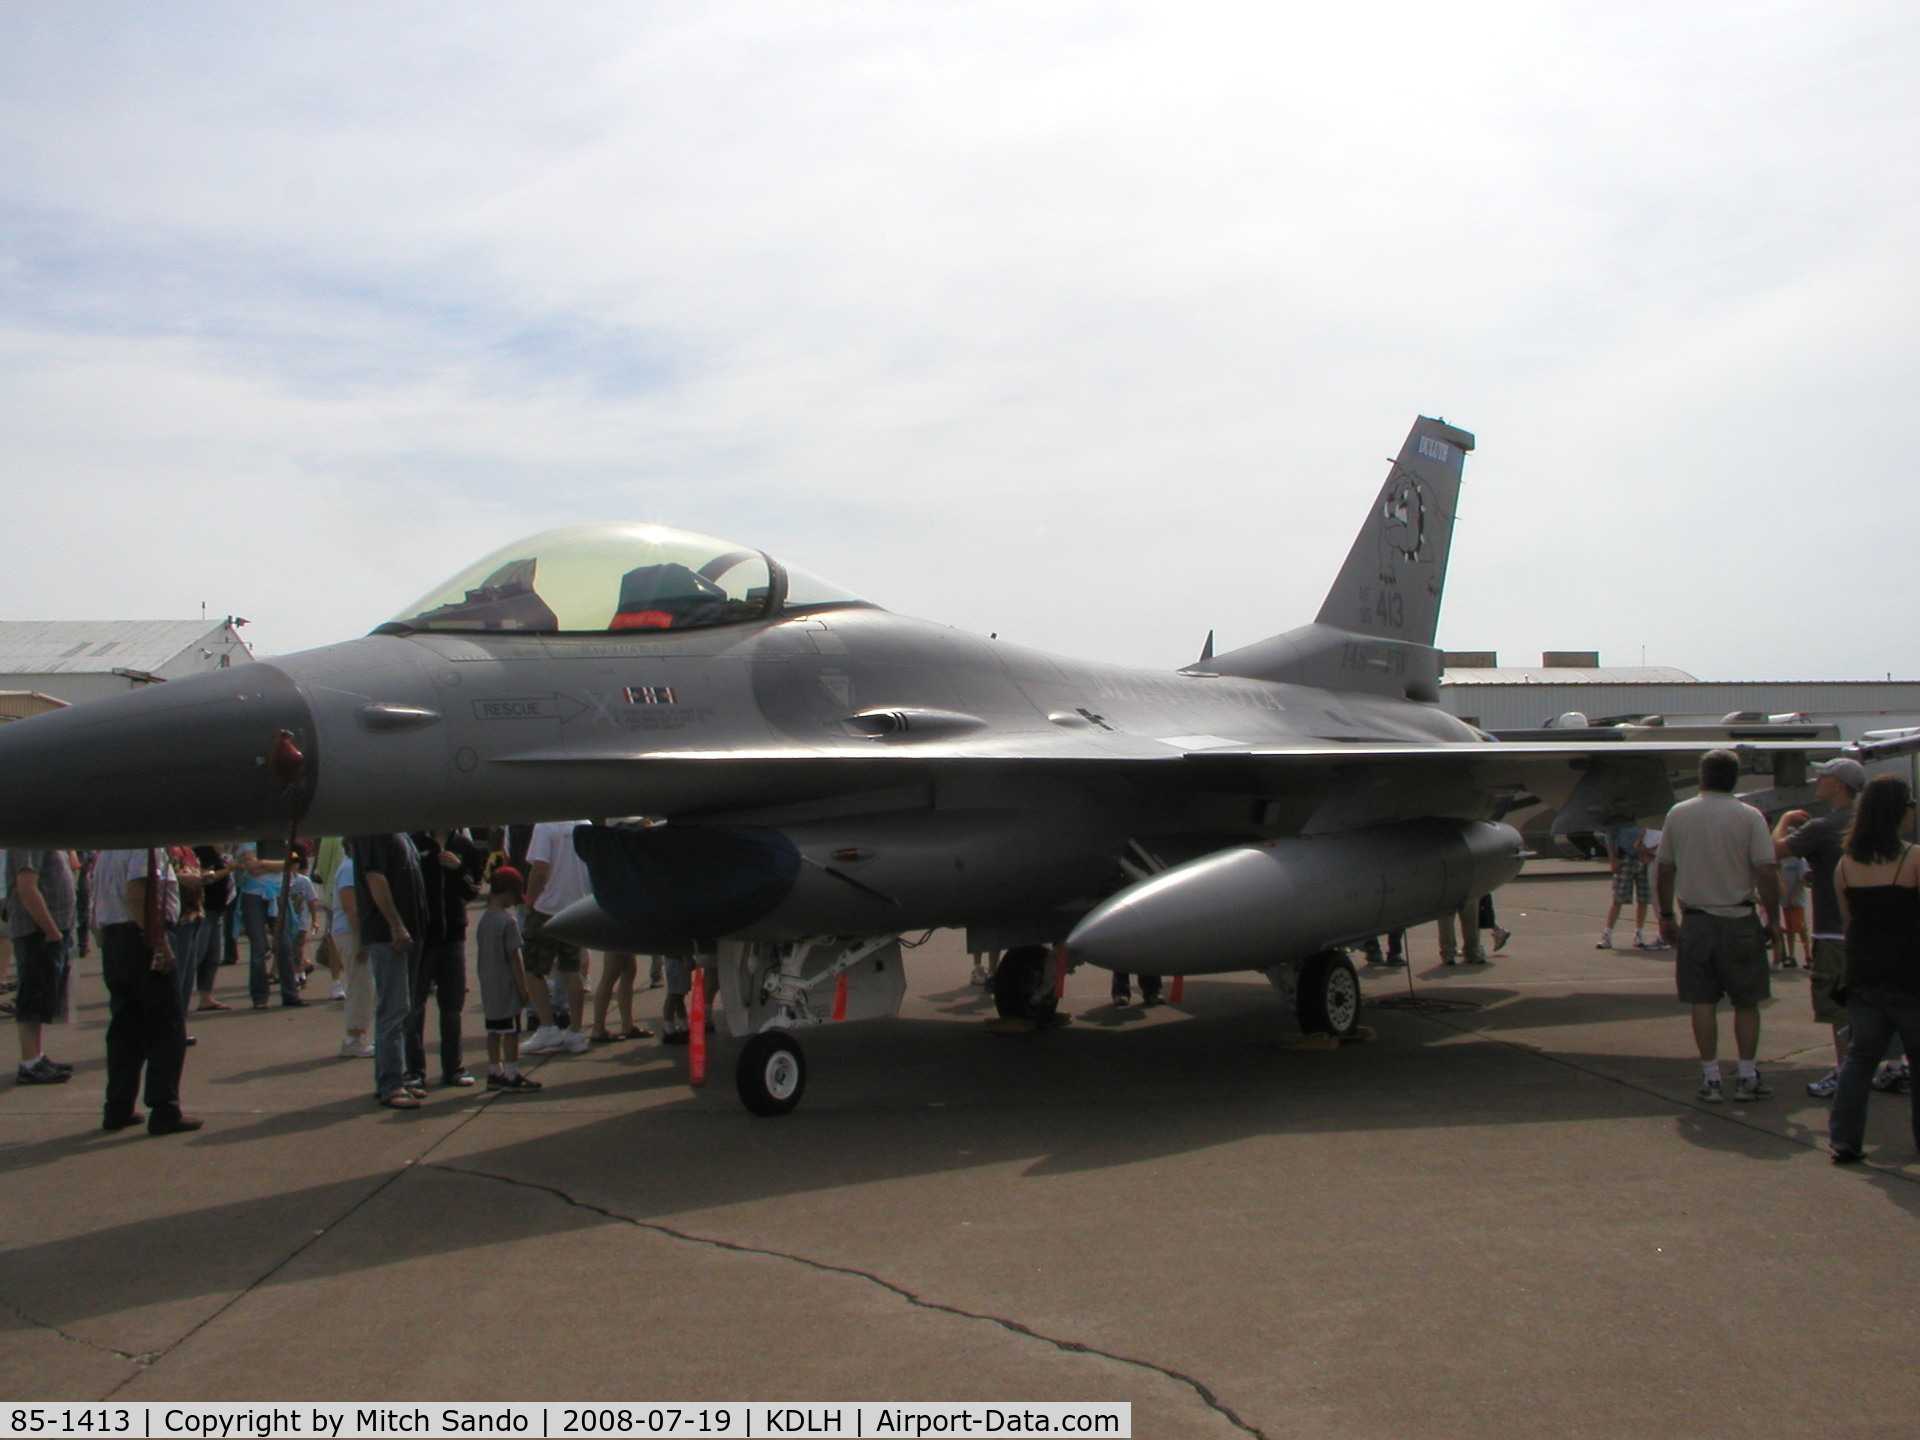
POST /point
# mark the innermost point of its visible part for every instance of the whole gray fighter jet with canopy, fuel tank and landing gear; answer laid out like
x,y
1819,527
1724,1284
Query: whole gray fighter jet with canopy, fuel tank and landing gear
x,y
836,777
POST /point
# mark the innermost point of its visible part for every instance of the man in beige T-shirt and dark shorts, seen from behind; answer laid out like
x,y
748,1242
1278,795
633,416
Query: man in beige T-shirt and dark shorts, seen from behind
x,y
1716,857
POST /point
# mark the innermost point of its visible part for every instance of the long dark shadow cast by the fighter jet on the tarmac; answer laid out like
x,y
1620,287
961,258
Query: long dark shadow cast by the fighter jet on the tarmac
x,y
888,1103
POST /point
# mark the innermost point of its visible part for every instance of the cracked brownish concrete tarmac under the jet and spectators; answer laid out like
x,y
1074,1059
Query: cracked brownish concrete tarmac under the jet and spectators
x,y
1508,1218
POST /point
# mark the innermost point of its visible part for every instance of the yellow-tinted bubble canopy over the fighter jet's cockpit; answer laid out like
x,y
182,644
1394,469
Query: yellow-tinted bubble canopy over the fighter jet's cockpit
x,y
600,579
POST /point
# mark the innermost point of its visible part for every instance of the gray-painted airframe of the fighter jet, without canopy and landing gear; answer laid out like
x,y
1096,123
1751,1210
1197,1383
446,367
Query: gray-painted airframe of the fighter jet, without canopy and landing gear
x,y
959,780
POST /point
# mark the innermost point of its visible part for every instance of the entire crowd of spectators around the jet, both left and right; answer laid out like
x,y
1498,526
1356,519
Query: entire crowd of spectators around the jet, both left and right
x,y
387,917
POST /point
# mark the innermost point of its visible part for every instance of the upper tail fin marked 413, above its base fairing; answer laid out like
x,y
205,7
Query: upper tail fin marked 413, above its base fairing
x,y
1393,577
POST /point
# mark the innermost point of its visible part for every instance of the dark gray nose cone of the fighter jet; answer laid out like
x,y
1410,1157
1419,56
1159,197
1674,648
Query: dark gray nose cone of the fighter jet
x,y
216,756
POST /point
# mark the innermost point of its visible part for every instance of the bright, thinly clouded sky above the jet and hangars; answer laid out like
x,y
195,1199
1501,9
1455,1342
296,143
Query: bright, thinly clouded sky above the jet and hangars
x,y
1088,325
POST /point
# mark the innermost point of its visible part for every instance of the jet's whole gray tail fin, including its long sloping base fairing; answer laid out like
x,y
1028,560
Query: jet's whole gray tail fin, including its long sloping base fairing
x,y
1378,625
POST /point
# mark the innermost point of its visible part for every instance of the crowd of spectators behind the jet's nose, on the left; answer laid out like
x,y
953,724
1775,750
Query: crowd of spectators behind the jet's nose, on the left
x,y
385,917
